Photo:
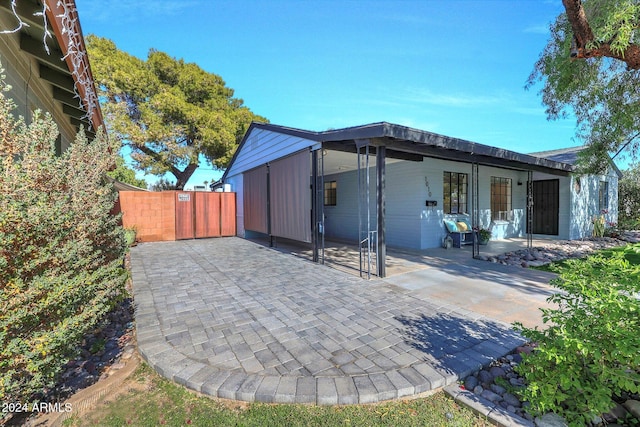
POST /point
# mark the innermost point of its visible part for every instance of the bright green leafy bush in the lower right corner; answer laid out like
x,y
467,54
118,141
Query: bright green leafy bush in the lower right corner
x,y
589,352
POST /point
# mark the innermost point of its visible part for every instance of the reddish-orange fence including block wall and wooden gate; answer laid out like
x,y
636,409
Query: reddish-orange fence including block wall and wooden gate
x,y
177,215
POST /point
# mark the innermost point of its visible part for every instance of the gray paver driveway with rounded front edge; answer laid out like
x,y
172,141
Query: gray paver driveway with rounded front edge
x,y
233,319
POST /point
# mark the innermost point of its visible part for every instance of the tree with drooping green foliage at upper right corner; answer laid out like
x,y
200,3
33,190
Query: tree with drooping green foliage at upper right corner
x,y
591,68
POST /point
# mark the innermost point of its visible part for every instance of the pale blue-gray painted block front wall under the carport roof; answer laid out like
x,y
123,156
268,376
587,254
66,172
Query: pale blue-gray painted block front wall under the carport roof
x,y
409,222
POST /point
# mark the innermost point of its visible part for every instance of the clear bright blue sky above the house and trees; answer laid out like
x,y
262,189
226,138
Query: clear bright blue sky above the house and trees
x,y
455,67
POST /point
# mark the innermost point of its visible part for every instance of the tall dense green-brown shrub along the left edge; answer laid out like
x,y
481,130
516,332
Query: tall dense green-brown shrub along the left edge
x,y
60,250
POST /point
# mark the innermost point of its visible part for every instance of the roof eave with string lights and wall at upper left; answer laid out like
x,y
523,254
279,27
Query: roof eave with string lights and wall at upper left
x,y
59,81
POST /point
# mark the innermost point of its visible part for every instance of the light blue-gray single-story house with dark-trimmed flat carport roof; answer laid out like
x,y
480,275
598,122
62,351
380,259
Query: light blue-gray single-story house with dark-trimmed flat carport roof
x,y
384,184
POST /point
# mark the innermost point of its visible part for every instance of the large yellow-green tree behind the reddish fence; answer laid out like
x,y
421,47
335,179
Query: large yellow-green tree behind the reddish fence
x,y
169,112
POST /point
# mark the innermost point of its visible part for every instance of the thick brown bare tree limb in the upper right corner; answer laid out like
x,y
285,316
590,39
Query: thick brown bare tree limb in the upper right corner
x,y
583,36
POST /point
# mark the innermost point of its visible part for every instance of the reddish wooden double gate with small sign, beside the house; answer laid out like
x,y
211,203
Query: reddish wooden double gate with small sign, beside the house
x,y
202,214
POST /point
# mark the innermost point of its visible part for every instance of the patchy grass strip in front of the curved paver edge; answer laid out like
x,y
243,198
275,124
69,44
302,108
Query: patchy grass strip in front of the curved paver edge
x,y
146,399
